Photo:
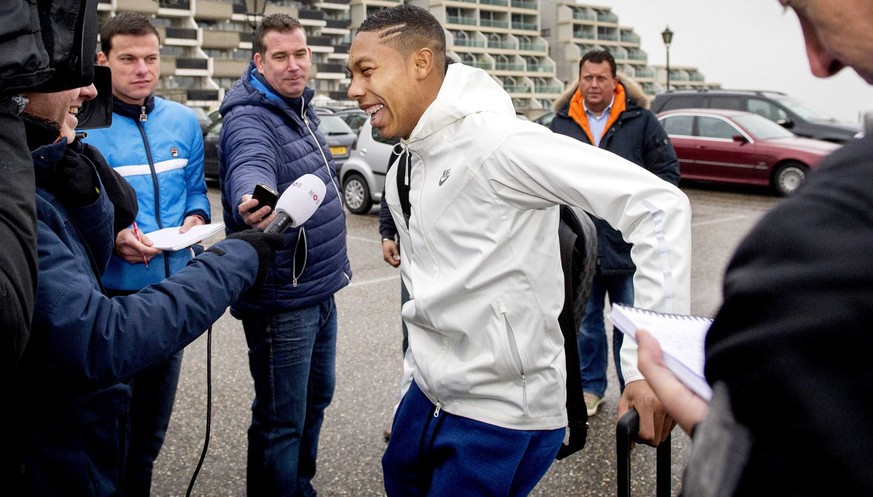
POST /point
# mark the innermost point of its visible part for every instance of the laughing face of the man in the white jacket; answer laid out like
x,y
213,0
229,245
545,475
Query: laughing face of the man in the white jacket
x,y
388,85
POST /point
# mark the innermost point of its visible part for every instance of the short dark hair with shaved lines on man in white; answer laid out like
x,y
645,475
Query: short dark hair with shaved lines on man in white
x,y
407,28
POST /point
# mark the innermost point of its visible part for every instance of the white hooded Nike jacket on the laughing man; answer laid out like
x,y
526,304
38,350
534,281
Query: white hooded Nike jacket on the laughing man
x,y
480,254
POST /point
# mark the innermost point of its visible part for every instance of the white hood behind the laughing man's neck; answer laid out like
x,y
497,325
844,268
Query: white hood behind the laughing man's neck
x,y
466,90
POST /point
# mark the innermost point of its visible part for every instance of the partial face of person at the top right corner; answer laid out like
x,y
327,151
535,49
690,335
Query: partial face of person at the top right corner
x,y
838,33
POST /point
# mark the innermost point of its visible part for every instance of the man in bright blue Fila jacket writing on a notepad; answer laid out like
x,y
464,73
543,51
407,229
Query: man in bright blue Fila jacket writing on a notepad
x,y
157,146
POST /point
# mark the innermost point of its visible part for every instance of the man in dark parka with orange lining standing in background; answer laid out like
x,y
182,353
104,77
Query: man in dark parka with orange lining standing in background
x,y
602,111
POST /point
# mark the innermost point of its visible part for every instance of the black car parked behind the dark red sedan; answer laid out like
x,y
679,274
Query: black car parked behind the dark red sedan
x,y
794,115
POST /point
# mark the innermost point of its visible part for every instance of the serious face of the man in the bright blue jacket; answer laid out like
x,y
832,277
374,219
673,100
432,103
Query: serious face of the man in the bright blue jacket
x,y
135,62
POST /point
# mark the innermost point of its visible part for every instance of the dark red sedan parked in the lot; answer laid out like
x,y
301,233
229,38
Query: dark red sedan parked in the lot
x,y
741,147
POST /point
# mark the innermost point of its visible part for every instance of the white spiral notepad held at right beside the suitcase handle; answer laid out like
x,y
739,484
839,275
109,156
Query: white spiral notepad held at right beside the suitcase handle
x,y
681,338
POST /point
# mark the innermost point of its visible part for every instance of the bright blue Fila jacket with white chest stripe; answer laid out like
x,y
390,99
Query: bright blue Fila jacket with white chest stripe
x,y
161,156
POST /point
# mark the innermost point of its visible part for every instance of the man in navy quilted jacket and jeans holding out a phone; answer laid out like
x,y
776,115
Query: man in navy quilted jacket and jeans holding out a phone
x,y
270,135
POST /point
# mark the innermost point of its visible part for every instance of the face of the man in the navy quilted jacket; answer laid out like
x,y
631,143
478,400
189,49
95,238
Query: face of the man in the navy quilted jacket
x,y
285,62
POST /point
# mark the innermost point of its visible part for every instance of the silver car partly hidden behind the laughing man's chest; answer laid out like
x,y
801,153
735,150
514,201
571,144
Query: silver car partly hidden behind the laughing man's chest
x,y
363,173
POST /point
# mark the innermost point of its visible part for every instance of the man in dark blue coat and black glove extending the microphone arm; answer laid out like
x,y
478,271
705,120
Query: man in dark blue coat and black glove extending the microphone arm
x,y
72,393
